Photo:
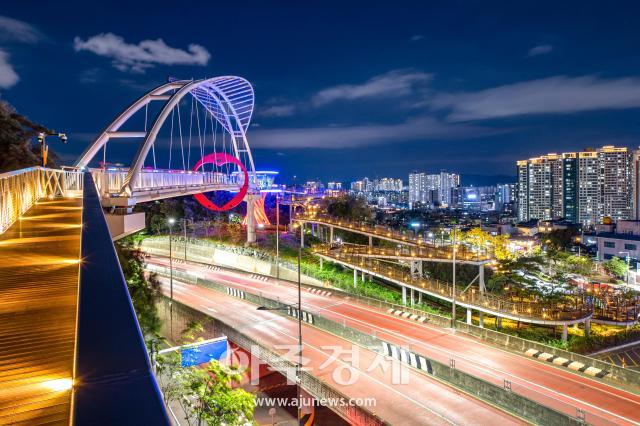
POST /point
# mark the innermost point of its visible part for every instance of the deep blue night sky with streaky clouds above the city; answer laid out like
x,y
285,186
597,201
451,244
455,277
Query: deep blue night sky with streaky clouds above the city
x,y
345,89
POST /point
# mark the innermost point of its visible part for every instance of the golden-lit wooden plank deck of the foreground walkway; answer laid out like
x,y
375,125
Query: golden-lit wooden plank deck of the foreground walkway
x,y
38,303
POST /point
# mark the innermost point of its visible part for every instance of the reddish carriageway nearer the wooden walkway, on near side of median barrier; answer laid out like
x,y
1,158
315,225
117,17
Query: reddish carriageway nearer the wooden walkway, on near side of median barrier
x,y
423,400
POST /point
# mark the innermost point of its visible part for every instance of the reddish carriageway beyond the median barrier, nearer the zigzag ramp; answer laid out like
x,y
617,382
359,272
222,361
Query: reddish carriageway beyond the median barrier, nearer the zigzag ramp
x,y
552,386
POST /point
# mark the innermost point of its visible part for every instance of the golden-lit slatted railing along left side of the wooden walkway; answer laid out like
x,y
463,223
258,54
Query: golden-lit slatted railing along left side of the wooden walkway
x,y
21,189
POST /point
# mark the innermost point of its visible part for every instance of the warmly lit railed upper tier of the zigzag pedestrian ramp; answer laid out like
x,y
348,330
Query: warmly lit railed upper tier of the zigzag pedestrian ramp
x,y
403,238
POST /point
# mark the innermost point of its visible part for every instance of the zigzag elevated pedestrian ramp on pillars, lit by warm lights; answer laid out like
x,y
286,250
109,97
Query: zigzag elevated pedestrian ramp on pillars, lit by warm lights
x,y
400,263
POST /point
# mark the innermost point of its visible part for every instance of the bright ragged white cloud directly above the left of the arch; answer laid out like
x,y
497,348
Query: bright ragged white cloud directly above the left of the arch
x,y
138,57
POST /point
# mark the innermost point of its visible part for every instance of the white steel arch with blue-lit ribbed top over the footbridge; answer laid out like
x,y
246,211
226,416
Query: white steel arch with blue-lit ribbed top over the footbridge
x,y
229,99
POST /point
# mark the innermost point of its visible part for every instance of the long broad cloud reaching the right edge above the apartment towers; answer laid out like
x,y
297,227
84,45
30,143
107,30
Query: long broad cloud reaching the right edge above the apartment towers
x,y
553,95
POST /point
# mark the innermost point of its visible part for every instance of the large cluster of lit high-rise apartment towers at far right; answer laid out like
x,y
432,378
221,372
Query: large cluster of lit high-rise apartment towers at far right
x,y
581,187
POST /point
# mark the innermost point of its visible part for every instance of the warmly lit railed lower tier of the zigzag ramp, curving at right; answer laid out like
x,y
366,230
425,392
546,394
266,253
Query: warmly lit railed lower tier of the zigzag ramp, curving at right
x,y
571,309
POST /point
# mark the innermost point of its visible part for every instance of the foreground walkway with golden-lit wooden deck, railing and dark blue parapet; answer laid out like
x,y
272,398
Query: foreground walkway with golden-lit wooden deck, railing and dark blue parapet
x,y
63,295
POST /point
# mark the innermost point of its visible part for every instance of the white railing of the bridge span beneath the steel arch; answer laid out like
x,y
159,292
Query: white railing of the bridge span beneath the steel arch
x,y
111,180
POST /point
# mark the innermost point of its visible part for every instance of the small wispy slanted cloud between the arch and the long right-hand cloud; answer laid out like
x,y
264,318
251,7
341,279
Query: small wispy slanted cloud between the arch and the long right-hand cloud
x,y
391,84
